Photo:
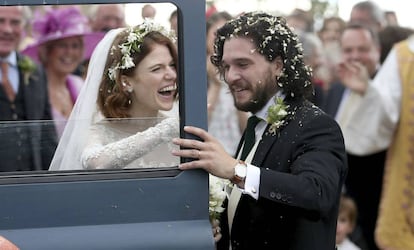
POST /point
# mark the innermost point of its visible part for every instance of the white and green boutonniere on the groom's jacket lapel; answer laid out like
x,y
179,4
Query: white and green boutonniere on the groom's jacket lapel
x,y
276,115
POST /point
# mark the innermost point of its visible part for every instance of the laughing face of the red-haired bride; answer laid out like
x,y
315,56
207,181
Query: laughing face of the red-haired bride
x,y
154,82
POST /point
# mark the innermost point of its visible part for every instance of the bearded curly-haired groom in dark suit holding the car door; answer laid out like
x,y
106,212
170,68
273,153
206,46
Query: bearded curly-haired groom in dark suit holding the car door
x,y
286,190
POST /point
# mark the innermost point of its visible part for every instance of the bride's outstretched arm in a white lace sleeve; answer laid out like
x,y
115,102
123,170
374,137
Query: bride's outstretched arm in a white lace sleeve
x,y
118,154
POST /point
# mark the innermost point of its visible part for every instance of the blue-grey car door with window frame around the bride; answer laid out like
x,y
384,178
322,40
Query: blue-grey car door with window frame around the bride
x,y
119,209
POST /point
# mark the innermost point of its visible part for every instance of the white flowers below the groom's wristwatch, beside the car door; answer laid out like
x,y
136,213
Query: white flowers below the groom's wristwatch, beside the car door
x,y
216,197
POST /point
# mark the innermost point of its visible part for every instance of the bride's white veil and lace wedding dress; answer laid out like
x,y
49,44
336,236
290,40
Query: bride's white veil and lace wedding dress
x,y
90,141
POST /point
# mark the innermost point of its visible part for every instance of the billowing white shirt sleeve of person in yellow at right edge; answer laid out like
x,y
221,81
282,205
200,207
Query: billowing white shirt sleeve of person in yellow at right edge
x,y
374,121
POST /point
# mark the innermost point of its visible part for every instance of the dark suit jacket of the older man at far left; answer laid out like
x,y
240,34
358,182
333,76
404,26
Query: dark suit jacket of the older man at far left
x,y
27,145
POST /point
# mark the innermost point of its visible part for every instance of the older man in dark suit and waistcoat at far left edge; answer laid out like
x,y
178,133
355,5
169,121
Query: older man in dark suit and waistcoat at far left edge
x,y
26,142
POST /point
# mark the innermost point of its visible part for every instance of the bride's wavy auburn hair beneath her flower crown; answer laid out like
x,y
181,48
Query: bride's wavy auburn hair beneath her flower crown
x,y
113,101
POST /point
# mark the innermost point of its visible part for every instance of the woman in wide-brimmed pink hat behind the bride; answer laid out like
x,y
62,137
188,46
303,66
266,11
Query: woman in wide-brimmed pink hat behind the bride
x,y
63,41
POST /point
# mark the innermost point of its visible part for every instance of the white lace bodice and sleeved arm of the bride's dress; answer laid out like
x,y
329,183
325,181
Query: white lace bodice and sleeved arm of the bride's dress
x,y
131,144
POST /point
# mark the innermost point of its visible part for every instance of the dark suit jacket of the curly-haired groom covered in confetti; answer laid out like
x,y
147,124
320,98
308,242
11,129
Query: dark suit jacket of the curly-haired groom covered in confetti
x,y
303,169
